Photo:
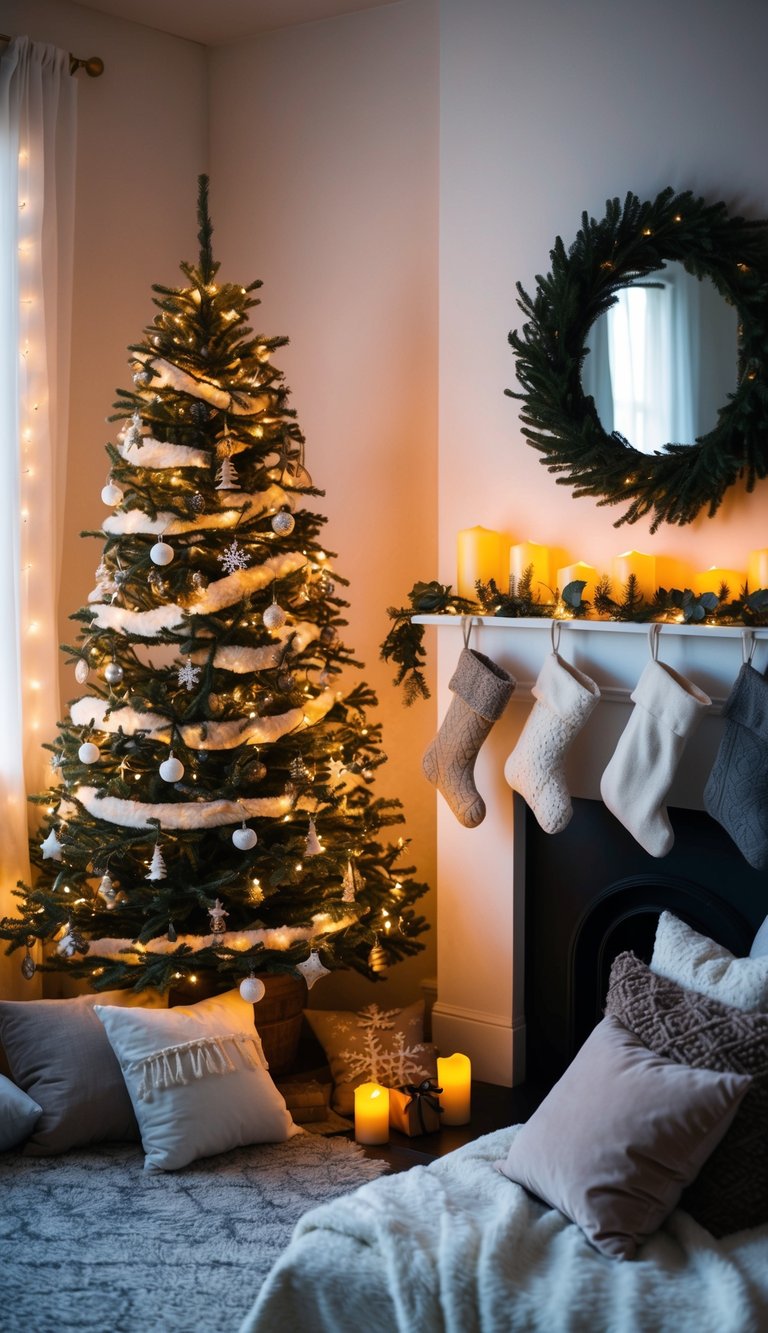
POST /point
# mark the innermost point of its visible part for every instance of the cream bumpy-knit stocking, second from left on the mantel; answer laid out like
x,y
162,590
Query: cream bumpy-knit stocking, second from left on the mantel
x,y
565,700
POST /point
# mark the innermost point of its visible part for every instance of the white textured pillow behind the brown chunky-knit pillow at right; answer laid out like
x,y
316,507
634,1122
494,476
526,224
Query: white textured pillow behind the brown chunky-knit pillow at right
x,y
697,963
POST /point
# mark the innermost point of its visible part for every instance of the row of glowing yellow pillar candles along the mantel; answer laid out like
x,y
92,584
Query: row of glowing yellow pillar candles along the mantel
x,y
485,555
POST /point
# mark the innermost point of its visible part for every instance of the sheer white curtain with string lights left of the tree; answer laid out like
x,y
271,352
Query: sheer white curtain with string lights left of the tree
x,y
38,121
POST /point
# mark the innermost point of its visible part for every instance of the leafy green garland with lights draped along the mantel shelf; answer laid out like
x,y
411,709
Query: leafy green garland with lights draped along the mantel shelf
x,y
405,643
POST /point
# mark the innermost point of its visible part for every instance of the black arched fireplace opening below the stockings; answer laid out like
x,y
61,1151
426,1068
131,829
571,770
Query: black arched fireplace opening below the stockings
x,y
593,892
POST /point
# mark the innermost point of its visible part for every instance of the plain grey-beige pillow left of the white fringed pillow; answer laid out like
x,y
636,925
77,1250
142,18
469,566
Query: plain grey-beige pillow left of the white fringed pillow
x,y
61,1056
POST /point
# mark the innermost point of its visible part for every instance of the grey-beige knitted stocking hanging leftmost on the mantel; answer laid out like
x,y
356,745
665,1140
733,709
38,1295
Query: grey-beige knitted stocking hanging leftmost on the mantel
x,y
482,691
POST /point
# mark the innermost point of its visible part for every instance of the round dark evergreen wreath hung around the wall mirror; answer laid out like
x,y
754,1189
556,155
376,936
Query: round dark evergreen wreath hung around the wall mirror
x,y
561,421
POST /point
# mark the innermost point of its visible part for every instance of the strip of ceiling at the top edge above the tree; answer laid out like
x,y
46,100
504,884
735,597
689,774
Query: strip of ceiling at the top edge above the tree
x,y
222,22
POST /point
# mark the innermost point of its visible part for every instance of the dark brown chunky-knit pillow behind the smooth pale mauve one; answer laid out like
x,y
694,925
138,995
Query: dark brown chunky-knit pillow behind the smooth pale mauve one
x,y
733,1190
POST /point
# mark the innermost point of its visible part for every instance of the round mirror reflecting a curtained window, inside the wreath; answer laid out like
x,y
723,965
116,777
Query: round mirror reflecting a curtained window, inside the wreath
x,y
663,361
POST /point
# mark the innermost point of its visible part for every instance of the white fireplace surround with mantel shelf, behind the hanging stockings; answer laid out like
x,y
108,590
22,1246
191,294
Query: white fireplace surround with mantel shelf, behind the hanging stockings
x,y
481,872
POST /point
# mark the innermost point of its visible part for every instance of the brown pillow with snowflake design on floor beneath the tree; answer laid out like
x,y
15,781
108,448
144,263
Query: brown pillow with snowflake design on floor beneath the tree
x,y
374,1046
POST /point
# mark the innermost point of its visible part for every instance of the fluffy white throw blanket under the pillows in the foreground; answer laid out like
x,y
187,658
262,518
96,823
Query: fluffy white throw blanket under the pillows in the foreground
x,y
458,1248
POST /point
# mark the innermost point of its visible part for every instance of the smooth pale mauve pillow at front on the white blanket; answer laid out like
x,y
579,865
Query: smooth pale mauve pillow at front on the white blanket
x,y
619,1138
